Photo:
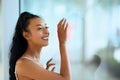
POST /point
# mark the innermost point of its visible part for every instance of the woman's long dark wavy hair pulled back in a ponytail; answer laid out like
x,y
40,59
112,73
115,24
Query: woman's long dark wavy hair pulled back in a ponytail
x,y
19,43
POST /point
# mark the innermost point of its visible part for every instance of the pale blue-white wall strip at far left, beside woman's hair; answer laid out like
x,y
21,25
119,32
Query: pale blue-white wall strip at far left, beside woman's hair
x,y
10,13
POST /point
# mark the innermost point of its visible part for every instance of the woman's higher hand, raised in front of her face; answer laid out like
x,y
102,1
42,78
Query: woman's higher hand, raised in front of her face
x,y
62,31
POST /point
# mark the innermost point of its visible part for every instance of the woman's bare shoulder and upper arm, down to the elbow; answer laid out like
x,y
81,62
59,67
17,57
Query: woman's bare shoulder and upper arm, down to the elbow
x,y
34,71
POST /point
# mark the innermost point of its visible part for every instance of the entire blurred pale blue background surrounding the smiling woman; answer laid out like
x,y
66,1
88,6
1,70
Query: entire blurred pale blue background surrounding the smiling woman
x,y
93,44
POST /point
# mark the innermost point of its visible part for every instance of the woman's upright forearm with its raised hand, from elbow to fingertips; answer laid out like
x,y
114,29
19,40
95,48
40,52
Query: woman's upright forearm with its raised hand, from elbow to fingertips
x,y
62,36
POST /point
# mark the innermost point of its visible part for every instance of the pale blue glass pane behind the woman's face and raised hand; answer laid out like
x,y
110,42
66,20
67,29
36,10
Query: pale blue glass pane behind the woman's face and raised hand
x,y
52,11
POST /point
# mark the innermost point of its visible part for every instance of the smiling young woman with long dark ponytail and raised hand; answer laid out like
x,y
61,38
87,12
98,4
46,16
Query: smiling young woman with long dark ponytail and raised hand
x,y
30,36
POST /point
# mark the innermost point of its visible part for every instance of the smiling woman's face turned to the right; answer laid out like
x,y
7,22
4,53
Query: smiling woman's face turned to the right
x,y
38,33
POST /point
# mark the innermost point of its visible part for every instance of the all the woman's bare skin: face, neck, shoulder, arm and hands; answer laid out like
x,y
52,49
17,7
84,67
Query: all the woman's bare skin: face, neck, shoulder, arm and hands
x,y
31,70
